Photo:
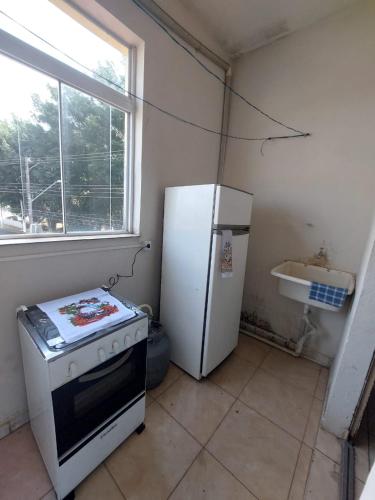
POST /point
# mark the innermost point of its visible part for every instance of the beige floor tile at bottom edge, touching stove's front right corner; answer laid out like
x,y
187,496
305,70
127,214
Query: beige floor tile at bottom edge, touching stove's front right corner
x,y
150,465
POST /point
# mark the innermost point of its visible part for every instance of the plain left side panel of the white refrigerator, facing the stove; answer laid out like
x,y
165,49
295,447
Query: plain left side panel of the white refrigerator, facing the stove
x,y
185,263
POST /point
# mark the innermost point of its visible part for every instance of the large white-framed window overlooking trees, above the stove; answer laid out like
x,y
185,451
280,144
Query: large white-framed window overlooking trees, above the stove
x,y
66,121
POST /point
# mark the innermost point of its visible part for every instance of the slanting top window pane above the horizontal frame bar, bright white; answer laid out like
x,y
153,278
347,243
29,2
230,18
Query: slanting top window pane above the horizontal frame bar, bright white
x,y
46,27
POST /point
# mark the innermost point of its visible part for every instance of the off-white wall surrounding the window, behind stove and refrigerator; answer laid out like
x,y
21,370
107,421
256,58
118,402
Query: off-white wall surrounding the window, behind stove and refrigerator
x,y
172,154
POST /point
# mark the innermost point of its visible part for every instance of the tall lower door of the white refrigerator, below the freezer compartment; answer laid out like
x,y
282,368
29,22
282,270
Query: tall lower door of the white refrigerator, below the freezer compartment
x,y
224,302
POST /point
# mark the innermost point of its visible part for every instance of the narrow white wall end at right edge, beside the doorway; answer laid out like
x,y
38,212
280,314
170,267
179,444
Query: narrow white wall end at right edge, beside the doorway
x,y
352,364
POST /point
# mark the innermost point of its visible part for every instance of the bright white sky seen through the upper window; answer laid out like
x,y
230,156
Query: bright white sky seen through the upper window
x,y
59,29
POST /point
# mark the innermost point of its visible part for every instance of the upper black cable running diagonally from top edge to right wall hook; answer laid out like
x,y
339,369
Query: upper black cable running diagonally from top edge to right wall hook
x,y
214,75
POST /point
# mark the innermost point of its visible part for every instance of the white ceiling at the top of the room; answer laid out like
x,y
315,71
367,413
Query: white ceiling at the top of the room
x,y
243,25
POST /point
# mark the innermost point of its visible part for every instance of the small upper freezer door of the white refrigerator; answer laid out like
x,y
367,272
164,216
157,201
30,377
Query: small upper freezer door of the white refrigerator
x,y
232,206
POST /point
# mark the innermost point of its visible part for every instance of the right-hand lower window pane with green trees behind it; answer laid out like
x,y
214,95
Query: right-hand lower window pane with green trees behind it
x,y
93,146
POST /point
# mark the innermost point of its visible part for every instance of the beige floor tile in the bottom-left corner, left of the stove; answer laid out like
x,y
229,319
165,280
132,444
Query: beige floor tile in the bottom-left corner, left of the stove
x,y
22,472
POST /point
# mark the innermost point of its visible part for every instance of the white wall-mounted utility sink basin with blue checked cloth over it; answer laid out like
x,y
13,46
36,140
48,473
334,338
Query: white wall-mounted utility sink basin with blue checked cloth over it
x,y
295,279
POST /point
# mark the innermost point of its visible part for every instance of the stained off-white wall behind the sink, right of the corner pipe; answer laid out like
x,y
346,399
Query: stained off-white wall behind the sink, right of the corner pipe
x,y
312,190
